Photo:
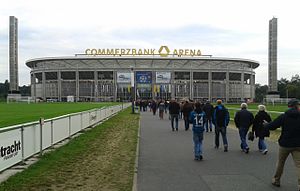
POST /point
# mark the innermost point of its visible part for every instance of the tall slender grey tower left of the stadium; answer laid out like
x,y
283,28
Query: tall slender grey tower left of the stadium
x,y
13,55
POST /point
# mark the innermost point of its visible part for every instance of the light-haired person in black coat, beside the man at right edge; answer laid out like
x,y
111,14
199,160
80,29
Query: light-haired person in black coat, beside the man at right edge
x,y
259,130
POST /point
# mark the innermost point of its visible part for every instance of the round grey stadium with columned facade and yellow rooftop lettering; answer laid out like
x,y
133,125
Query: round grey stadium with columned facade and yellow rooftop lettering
x,y
107,77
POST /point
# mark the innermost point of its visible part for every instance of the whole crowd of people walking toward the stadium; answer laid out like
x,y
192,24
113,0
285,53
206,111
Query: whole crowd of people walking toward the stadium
x,y
204,116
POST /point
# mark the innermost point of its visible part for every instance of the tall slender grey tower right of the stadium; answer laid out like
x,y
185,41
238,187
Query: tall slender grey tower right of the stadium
x,y
273,89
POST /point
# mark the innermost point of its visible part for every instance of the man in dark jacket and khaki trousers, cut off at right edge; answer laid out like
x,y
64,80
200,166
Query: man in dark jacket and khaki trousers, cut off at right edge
x,y
289,140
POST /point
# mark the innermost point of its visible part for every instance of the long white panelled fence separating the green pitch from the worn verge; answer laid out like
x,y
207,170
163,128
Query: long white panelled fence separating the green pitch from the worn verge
x,y
22,141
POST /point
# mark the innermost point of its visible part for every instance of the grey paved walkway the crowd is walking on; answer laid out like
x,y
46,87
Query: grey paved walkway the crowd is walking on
x,y
166,162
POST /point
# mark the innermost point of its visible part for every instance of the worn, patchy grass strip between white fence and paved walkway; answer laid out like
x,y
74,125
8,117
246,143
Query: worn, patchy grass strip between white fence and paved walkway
x,y
101,159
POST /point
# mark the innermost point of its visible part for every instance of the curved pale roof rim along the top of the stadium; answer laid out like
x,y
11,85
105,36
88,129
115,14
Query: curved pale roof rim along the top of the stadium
x,y
30,62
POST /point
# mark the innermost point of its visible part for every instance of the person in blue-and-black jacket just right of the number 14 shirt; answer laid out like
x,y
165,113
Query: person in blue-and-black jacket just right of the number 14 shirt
x,y
221,121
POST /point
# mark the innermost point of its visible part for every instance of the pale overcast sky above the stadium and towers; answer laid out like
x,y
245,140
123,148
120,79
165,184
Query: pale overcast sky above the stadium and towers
x,y
231,28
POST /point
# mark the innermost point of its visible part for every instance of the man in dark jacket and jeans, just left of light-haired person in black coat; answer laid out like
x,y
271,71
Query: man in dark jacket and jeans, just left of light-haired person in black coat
x,y
243,120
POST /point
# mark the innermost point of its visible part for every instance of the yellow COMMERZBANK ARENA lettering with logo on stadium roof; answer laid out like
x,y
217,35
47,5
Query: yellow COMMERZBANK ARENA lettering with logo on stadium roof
x,y
163,51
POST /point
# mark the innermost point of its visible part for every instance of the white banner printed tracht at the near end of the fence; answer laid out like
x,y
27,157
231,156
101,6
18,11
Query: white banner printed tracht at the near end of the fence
x,y
11,148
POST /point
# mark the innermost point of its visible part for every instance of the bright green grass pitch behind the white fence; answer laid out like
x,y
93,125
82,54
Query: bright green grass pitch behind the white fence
x,y
17,113
